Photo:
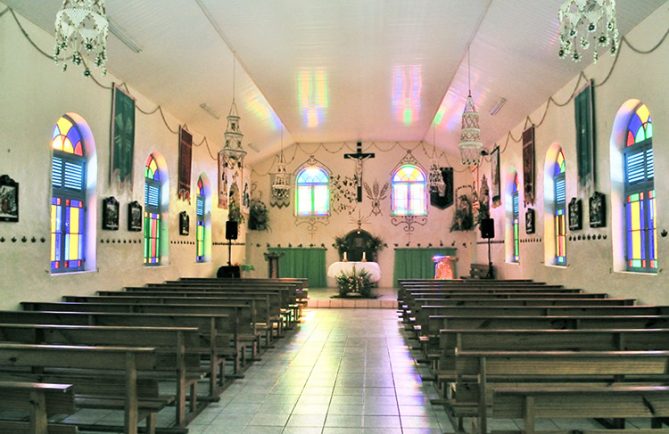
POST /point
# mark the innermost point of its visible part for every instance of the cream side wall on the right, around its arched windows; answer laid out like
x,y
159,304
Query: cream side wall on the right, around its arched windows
x,y
590,262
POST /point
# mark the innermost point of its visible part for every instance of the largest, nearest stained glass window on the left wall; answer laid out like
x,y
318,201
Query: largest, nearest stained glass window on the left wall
x,y
68,197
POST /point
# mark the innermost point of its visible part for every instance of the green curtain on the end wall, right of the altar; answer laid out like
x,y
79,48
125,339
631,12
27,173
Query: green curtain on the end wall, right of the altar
x,y
416,263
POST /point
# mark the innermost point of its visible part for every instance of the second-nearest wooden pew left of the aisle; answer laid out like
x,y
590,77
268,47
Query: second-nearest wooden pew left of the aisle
x,y
129,359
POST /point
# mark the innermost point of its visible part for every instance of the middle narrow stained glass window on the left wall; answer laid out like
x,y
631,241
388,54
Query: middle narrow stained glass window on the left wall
x,y
152,210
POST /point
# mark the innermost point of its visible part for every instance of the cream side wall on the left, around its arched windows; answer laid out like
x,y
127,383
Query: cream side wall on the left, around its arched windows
x,y
35,93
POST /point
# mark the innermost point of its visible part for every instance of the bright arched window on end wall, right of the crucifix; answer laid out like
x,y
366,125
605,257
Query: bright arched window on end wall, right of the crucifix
x,y
409,193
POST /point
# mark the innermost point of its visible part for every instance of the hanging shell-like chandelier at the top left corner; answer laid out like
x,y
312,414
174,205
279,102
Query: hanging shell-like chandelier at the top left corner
x,y
82,27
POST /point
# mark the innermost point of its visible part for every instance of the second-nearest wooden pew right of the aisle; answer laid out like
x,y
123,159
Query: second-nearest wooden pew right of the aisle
x,y
480,373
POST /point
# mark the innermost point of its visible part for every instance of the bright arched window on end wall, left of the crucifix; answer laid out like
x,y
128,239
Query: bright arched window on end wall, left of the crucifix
x,y
312,192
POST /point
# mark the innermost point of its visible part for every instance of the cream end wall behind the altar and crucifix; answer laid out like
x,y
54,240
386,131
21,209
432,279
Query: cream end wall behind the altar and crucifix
x,y
284,228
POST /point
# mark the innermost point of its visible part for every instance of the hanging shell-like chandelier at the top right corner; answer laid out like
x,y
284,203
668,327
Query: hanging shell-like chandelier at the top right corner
x,y
584,23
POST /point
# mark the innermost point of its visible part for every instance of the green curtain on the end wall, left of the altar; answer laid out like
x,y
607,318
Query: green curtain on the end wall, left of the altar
x,y
303,262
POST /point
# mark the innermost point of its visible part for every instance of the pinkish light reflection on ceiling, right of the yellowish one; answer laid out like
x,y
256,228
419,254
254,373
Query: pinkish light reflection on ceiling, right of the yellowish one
x,y
407,85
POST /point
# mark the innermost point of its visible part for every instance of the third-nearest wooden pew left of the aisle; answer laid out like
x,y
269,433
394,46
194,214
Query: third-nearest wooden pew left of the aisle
x,y
172,344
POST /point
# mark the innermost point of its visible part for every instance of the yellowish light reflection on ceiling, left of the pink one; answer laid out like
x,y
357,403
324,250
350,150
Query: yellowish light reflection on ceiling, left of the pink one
x,y
312,96
